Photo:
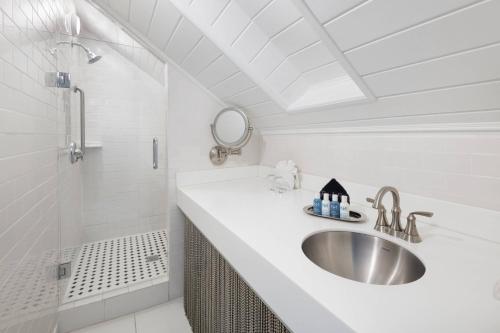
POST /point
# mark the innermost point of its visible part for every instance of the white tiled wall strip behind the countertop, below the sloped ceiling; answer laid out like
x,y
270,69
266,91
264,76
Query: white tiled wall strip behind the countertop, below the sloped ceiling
x,y
458,167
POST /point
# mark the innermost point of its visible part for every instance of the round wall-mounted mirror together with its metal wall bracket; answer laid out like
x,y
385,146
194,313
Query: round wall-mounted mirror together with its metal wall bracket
x,y
231,130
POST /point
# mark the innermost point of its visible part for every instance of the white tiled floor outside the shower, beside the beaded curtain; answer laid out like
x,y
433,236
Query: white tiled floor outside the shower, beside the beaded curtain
x,y
165,318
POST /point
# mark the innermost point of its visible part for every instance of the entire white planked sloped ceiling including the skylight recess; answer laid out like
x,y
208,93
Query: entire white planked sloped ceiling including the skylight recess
x,y
275,56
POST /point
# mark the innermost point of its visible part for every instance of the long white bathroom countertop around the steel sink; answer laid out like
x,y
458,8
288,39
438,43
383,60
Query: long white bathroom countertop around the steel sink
x,y
260,233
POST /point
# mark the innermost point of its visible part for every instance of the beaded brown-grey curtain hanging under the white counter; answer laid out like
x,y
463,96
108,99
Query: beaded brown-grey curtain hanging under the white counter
x,y
216,298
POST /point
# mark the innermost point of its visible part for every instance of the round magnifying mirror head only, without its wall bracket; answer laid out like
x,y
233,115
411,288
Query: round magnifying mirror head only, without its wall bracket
x,y
231,128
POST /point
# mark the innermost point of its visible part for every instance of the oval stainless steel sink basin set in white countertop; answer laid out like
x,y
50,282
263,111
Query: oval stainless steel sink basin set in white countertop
x,y
363,258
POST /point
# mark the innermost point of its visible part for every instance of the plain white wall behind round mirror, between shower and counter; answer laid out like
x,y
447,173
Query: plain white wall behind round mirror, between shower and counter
x,y
190,112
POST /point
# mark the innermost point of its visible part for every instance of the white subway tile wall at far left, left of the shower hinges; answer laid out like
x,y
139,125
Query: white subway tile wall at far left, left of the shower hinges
x,y
30,134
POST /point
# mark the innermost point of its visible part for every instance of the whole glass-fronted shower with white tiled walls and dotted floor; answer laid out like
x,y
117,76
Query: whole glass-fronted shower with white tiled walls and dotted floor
x,y
81,230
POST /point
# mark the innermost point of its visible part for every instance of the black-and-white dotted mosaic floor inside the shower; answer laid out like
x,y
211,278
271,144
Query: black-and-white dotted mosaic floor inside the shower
x,y
117,263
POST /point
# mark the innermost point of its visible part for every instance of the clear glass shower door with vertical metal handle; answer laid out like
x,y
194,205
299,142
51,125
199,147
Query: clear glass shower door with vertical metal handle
x,y
119,187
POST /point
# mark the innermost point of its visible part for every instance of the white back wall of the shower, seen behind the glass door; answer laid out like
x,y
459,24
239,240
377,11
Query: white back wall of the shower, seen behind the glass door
x,y
126,108
